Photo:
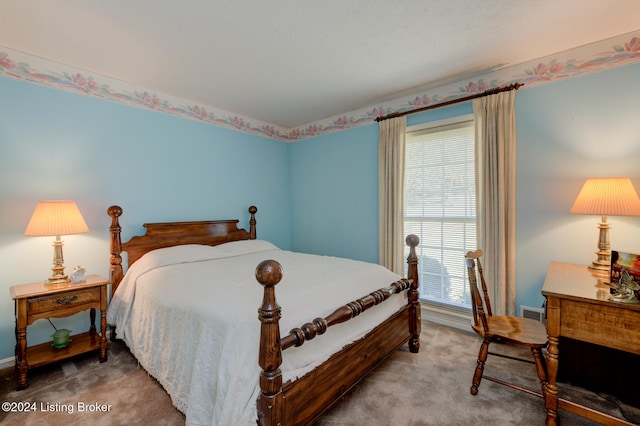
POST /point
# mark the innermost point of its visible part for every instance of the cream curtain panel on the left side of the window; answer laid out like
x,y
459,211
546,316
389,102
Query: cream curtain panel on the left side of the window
x,y
390,194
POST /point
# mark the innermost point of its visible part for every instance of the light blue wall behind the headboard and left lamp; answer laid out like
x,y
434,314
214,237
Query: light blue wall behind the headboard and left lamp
x,y
58,145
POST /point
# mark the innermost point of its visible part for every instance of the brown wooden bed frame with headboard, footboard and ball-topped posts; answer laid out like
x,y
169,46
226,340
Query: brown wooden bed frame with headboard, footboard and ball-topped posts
x,y
304,400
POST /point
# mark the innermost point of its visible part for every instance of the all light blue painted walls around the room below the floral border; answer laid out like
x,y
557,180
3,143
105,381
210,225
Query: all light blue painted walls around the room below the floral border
x,y
316,196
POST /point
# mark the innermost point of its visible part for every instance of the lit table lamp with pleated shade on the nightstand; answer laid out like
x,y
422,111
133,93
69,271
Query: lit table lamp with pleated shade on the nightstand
x,y
56,218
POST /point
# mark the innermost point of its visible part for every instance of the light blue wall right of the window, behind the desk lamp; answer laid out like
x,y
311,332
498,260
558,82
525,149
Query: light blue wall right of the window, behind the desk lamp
x,y
567,132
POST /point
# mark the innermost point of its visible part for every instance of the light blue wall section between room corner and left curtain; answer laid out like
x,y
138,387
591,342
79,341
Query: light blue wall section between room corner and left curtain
x,y
335,187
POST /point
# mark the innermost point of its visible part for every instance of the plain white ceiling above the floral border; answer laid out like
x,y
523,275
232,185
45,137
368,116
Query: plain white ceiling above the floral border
x,y
293,62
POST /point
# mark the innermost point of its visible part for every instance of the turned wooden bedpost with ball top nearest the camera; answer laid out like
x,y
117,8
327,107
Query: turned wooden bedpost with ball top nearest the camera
x,y
270,402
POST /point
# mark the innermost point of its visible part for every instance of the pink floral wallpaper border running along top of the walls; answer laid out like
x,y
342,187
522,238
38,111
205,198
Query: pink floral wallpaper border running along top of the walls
x,y
599,56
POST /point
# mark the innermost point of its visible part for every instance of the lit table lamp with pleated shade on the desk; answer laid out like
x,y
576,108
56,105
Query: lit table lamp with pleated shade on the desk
x,y
606,197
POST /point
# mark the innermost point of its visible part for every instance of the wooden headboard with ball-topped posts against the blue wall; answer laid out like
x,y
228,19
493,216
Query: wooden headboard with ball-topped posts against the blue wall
x,y
169,234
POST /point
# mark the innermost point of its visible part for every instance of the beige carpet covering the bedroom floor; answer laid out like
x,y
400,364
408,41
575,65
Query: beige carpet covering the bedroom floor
x,y
429,388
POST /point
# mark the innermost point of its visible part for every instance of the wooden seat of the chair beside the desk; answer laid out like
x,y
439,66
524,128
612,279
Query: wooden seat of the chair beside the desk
x,y
521,331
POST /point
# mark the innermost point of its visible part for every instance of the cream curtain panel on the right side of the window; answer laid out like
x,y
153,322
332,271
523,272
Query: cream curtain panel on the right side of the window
x,y
496,195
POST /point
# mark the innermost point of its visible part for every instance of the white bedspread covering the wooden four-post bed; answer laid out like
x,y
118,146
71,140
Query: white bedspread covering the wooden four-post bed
x,y
189,315
